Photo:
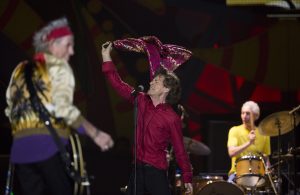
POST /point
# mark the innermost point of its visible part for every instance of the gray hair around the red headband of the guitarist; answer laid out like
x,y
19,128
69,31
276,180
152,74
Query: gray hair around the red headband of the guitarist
x,y
40,41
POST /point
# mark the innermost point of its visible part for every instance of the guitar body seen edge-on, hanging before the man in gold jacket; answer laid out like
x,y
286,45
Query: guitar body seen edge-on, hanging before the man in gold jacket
x,y
78,164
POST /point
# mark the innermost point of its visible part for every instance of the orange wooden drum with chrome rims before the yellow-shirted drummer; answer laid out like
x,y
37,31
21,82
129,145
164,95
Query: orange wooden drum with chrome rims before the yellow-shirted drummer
x,y
250,171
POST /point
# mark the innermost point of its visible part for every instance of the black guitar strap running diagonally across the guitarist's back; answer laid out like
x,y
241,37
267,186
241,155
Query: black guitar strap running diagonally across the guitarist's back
x,y
43,113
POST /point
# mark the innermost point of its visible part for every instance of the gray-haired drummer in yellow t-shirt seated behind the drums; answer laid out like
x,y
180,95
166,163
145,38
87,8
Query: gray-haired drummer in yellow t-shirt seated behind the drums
x,y
245,139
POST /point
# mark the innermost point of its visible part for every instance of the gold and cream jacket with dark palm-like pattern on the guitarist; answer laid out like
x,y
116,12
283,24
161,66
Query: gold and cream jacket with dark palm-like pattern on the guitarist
x,y
54,82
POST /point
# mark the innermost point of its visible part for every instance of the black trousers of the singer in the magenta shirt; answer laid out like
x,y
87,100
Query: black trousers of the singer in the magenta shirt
x,y
149,181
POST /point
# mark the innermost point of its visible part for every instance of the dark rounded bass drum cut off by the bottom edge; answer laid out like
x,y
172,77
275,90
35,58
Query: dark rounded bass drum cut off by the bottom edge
x,y
221,187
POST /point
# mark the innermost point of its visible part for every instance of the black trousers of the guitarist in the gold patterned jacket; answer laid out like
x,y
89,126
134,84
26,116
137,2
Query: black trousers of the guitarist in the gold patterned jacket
x,y
47,177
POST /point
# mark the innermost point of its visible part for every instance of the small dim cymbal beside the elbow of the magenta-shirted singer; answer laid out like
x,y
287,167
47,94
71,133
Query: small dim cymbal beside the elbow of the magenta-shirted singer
x,y
195,147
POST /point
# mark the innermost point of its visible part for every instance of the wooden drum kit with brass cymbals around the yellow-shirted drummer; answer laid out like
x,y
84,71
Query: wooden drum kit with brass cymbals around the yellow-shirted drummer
x,y
251,174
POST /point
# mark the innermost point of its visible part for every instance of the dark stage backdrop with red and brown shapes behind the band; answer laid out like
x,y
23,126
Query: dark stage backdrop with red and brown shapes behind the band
x,y
239,53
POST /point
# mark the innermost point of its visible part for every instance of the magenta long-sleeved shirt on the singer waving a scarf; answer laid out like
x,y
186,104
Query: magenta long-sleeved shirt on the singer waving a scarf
x,y
156,127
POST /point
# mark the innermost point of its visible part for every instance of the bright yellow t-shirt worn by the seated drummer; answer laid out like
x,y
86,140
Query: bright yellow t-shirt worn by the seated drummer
x,y
238,135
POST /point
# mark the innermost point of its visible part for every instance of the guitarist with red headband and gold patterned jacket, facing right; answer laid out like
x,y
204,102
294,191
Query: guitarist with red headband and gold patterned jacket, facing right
x,y
38,165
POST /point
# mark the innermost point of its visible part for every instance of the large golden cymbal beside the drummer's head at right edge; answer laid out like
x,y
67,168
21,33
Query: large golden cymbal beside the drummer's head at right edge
x,y
283,120
